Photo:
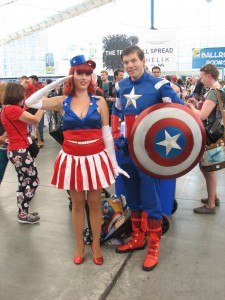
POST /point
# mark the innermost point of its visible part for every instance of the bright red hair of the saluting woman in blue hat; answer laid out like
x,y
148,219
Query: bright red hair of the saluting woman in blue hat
x,y
86,68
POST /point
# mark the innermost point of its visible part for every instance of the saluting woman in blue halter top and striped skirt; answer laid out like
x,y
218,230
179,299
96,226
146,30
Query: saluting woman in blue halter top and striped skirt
x,y
87,160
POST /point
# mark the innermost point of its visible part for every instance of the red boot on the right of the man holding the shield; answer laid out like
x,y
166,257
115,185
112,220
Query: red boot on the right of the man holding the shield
x,y
154,235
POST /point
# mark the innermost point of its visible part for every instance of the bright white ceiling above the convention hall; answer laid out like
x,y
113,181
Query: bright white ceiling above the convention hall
x,y
19,18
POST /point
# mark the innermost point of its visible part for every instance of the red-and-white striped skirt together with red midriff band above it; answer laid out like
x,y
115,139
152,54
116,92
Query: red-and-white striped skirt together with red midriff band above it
x,y
83,163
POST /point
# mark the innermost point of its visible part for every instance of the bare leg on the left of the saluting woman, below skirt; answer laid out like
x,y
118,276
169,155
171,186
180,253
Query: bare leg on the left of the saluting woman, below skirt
x,y
78,204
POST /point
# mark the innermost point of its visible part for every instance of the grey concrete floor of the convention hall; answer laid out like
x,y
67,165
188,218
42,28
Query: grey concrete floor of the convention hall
x,y
36,261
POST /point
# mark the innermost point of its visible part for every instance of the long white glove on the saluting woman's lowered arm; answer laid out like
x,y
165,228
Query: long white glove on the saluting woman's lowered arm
x,y
109,145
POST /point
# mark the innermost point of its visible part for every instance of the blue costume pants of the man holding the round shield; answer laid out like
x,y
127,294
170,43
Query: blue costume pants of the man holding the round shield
x,y
142,191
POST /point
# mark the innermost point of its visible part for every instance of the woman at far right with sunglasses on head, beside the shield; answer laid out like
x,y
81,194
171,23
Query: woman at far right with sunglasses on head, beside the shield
x,y
209,76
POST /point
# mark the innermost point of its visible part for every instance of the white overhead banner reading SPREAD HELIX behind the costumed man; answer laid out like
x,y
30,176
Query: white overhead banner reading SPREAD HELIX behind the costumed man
x,y
159,49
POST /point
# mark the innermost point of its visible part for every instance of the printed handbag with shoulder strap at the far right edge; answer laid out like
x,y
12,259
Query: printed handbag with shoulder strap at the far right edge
x,y
213,158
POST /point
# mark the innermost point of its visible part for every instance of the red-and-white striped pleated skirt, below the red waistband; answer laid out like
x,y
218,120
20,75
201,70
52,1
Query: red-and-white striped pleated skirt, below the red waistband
x,y
81,173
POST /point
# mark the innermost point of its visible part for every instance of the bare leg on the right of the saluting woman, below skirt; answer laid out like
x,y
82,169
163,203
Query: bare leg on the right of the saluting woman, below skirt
x,y
95,215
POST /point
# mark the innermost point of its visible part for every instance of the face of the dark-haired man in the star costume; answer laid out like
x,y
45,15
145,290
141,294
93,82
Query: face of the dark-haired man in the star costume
x,y
133,66
